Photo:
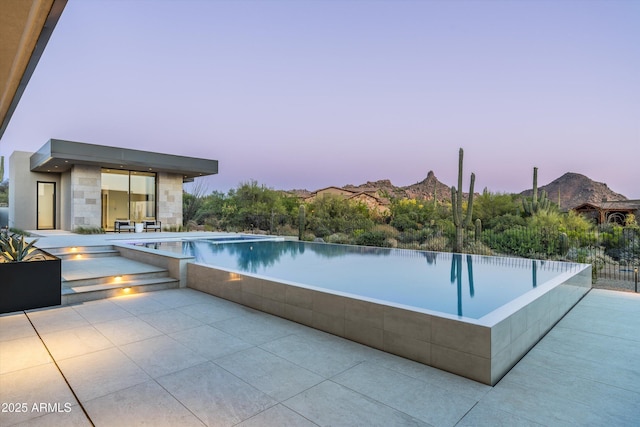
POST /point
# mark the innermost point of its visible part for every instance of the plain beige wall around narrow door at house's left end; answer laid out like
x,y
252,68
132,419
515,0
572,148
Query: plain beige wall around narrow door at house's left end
x,y
23,192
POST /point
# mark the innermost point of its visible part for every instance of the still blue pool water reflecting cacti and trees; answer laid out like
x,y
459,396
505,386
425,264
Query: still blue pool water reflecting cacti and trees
x,y
468,286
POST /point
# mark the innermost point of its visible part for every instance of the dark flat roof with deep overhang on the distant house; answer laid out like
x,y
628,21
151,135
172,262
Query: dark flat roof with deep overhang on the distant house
x,y
58,156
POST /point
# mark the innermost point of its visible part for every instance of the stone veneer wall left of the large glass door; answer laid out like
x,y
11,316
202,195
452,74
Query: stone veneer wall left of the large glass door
x,y
85,209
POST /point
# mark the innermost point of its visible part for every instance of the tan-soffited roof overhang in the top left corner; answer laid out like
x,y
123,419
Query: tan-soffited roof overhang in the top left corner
x,y
25,28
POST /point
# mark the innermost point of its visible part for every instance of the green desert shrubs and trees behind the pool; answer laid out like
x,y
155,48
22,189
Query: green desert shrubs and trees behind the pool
x,y
499,224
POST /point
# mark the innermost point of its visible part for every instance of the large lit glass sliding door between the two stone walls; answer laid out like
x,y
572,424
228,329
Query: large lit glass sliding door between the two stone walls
x,y
127,195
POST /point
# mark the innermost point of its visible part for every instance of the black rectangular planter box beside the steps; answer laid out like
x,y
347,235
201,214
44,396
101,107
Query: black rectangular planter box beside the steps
x,y
30,284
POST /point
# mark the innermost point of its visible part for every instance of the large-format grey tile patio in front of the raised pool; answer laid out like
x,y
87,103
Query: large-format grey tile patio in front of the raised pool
x,y
181,357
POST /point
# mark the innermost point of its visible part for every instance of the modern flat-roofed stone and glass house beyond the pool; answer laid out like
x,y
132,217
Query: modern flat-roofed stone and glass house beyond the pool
x,y
66,185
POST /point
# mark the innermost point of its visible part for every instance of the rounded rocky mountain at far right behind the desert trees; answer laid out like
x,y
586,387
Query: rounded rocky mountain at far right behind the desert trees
x,y
574,189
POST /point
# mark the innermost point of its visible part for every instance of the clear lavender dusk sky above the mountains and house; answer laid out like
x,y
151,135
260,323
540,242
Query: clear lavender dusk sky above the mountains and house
x,y
309,94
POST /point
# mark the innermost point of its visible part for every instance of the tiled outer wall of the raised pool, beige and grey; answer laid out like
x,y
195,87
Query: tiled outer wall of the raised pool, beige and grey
x,y
482,352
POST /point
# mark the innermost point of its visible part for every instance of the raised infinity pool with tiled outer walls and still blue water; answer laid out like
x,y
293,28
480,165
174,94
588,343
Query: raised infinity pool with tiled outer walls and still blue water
x,y
472,315
